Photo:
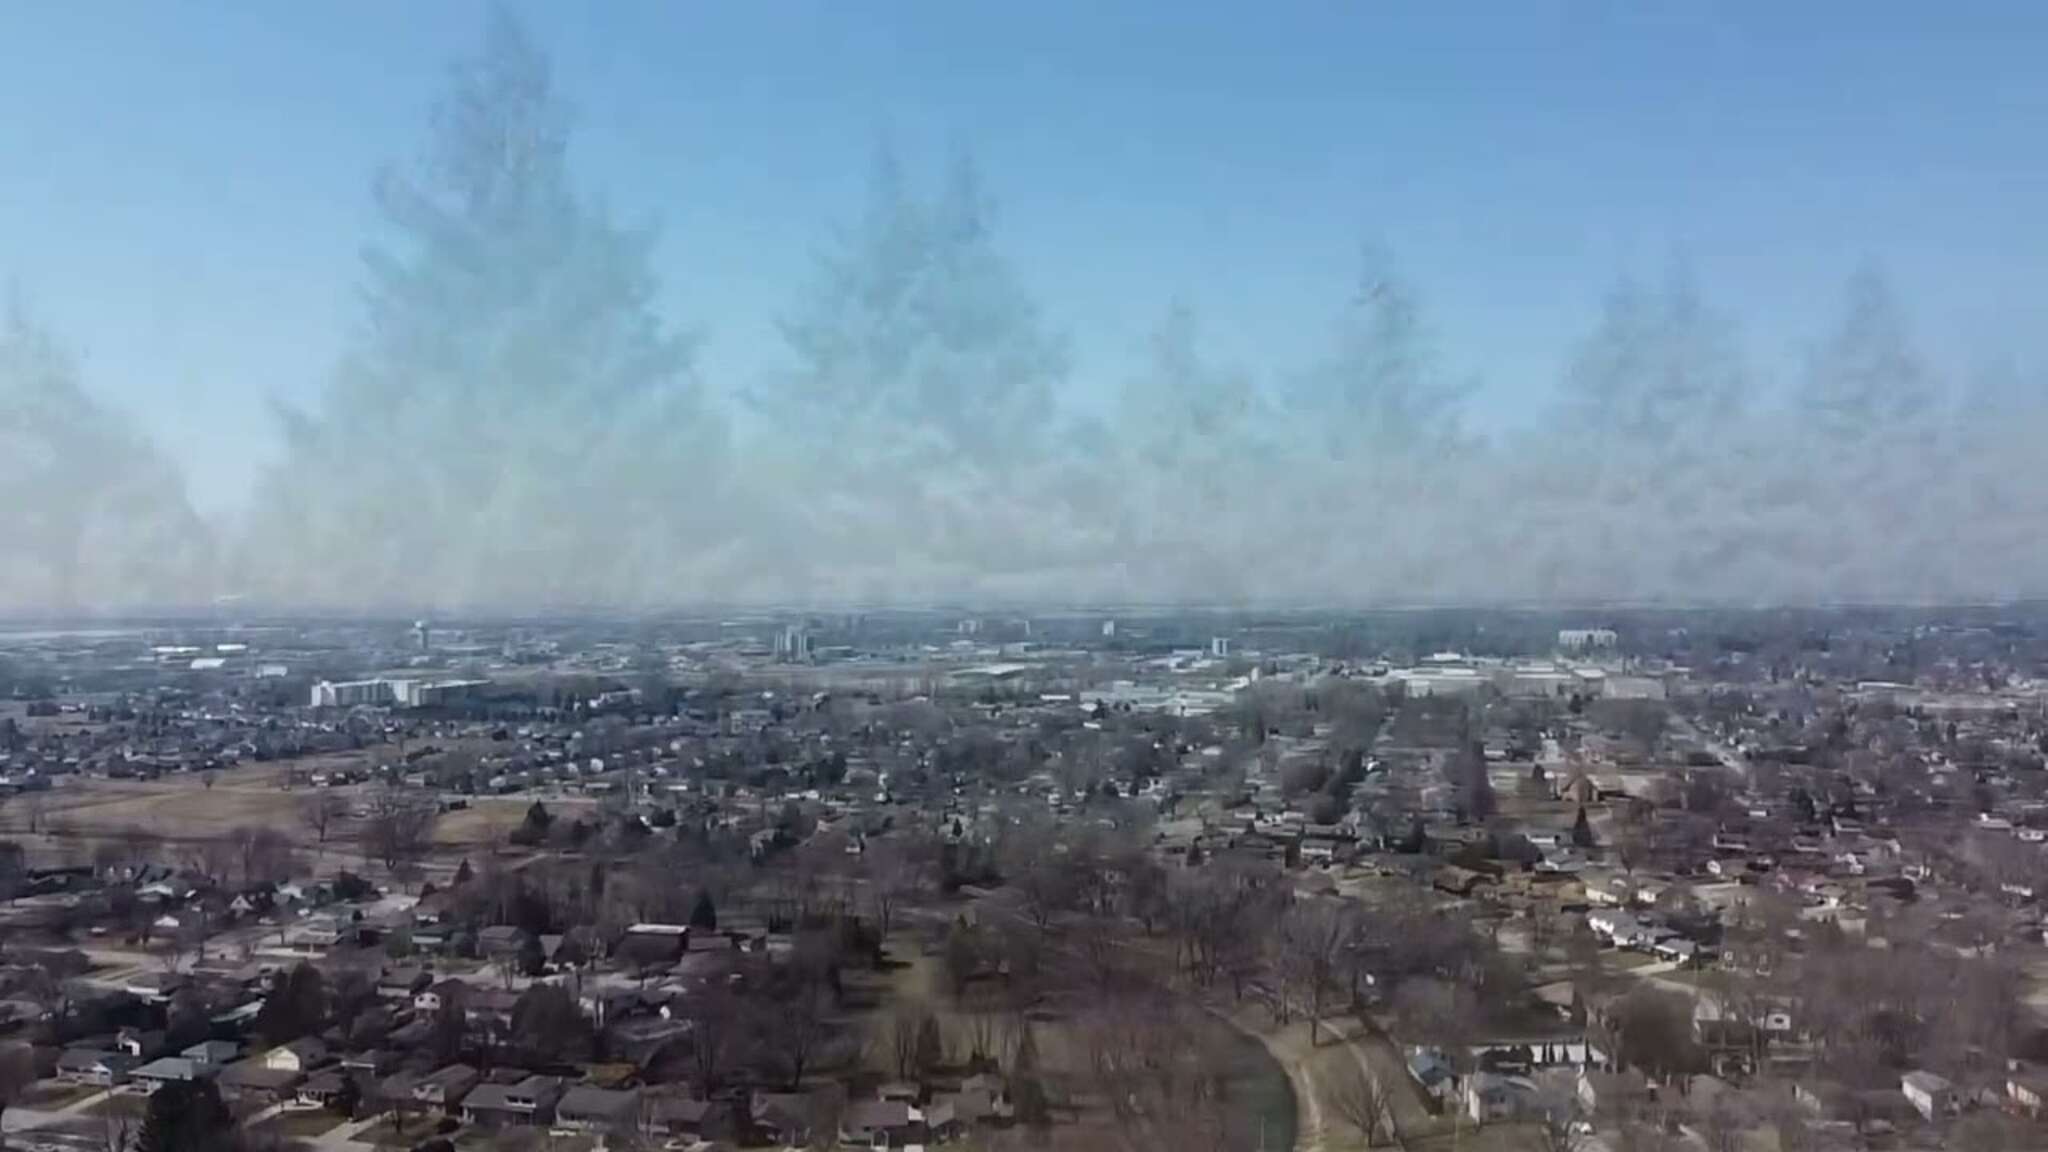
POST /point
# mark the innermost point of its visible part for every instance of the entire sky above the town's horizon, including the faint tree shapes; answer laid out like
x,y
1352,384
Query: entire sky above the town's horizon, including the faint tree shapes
x,y
493,308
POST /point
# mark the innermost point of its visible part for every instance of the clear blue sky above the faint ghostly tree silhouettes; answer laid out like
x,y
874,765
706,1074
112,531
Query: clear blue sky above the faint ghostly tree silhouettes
x,y
185,188
